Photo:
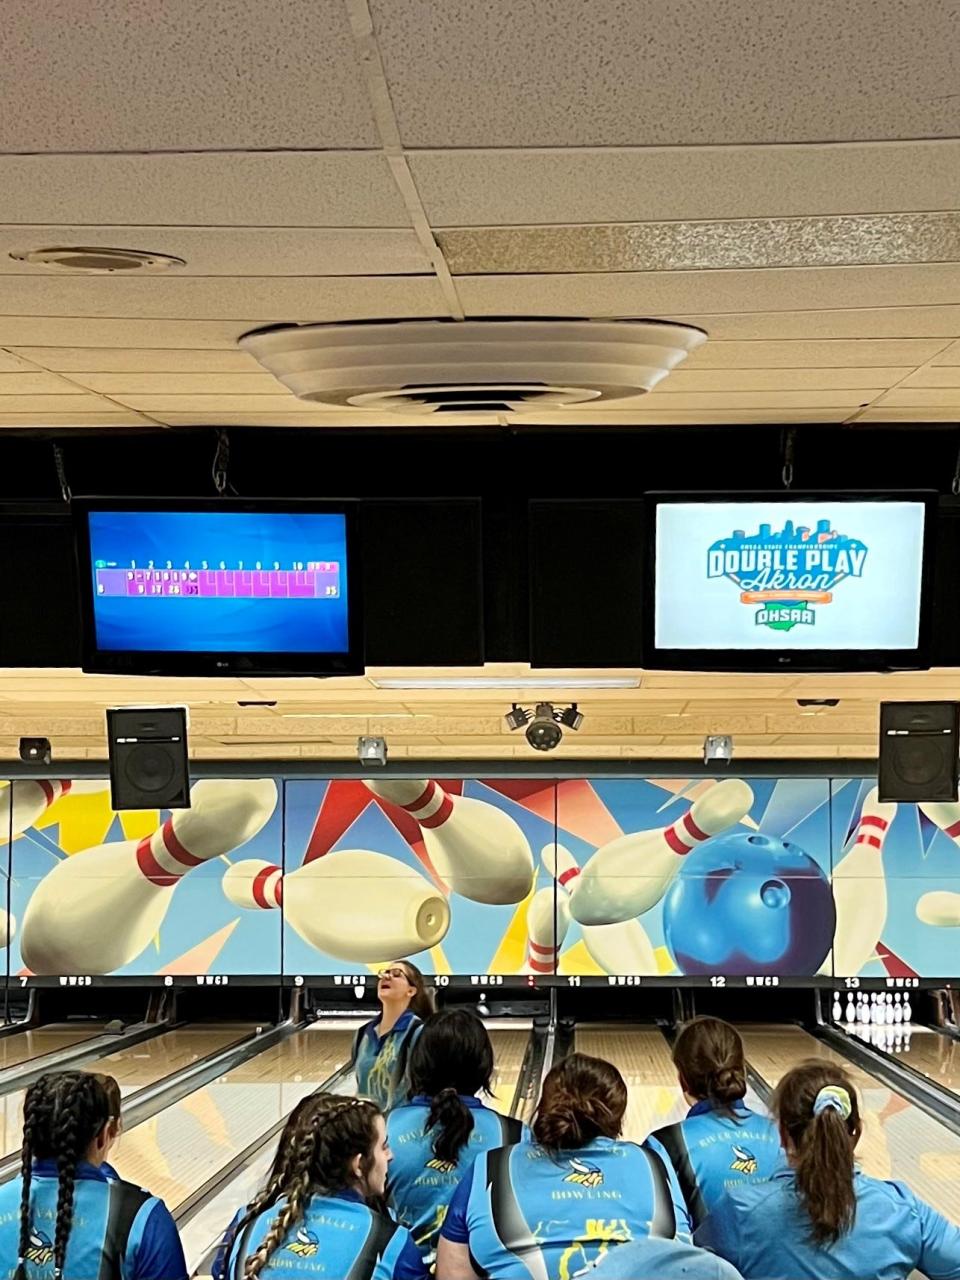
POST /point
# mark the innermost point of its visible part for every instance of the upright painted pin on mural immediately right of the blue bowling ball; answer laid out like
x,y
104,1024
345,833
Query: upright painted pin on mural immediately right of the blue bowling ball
x,y
861,889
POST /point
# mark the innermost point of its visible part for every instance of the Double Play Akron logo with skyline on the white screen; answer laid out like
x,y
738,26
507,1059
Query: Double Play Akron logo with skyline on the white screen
x,y
787,573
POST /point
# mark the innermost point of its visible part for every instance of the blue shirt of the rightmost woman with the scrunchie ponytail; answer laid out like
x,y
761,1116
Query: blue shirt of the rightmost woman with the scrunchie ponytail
x,y
766,1233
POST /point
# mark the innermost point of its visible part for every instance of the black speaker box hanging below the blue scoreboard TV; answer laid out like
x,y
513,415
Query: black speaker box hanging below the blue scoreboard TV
x,y
149,764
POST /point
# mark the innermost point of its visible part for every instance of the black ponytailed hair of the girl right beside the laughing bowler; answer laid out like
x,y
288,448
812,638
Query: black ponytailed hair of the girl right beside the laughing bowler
x,y
451,1060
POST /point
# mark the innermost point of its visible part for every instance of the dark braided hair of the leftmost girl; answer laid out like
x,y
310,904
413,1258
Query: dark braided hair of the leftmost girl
x,y
63,1113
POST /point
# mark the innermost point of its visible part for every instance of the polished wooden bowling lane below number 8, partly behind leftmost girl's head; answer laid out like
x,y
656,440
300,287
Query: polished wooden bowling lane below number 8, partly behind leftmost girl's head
x,y
134,1068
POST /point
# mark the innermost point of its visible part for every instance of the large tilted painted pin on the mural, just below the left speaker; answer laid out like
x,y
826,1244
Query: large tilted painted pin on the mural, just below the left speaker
x,y
100,909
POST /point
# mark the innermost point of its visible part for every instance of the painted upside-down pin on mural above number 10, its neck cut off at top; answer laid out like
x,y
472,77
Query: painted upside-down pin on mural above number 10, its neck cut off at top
x,y
477,849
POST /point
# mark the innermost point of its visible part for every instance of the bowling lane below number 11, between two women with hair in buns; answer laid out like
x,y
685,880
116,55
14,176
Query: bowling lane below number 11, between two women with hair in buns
x,y
642,1057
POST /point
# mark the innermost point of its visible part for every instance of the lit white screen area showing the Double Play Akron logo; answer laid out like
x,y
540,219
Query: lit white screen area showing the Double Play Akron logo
x,y
802,575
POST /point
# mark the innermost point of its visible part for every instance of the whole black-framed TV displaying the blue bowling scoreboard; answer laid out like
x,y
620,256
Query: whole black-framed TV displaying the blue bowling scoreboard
x,y
226,587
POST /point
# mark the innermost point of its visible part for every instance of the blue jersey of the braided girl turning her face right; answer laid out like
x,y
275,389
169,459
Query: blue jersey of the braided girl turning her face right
x,y
339,1238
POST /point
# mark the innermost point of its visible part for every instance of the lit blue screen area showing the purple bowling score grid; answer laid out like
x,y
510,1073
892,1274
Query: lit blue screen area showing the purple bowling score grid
x,y
220,582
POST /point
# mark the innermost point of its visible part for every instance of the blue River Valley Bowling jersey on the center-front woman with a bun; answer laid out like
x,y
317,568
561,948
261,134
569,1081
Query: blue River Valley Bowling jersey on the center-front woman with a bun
x,y
525,1210
